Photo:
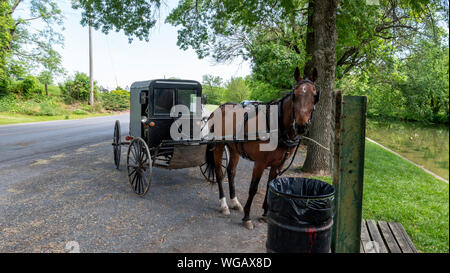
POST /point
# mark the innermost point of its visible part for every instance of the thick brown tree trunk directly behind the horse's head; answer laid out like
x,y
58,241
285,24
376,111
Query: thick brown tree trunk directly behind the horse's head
x,y
324,58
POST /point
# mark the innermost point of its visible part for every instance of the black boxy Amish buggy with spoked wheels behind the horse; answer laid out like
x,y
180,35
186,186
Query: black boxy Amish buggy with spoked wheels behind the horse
x,y
149,141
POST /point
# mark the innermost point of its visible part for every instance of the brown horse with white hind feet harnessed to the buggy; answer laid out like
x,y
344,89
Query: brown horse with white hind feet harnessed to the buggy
x,y
296,110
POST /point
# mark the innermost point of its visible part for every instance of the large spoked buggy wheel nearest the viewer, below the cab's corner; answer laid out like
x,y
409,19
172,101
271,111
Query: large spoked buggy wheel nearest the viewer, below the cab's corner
x,y
139,166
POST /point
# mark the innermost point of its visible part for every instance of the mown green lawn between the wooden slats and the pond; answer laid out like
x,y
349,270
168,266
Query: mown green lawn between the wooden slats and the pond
x,y
395,190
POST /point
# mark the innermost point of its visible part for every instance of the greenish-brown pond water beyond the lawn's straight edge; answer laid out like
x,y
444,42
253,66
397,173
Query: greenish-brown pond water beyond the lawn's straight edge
x,y
426,145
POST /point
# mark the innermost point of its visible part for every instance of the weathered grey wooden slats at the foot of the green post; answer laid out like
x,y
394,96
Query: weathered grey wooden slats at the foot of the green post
x,y
385,238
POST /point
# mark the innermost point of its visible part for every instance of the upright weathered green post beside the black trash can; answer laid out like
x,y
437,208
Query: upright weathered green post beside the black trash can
x,y
348,172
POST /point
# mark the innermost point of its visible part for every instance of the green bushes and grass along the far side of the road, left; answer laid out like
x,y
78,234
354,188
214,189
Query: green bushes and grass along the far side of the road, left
x,y
26,100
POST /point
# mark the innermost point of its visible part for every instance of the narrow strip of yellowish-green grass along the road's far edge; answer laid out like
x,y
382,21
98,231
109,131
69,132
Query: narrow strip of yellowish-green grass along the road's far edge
x,y
9,118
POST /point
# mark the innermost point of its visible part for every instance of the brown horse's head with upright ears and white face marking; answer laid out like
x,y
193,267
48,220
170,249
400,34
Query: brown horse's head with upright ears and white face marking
x,y
304,96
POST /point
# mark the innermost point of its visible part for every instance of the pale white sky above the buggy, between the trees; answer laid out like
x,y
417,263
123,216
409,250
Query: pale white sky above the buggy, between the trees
x,y
116,59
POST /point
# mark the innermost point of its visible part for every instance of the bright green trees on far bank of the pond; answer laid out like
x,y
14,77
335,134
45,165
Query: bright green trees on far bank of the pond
x,y
412,87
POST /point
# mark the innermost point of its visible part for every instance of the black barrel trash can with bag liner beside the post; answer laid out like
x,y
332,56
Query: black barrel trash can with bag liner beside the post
x,y
300,215
